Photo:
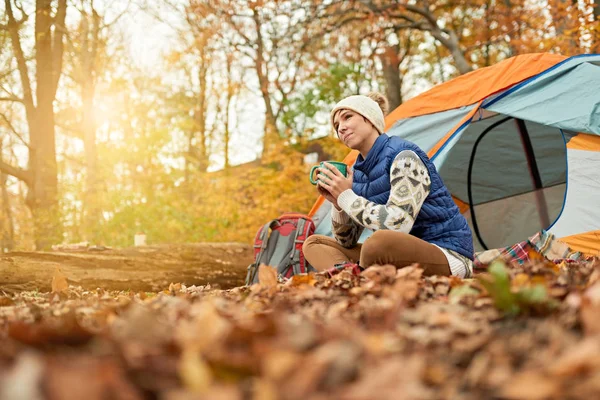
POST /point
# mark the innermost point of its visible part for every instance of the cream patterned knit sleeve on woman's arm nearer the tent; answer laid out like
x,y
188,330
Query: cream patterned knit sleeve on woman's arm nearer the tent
x,y
410,185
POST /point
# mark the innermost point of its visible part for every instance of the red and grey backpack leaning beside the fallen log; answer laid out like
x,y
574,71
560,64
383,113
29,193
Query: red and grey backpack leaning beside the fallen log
x,y
279,244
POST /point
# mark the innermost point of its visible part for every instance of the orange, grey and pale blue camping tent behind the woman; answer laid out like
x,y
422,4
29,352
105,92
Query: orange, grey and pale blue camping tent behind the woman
x,y
518,146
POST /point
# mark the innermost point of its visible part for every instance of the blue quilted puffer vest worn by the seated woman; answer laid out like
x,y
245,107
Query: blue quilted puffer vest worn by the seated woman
x,y
439,221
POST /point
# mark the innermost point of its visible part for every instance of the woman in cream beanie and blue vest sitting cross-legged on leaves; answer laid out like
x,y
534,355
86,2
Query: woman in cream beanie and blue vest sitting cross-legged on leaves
x,y
394,190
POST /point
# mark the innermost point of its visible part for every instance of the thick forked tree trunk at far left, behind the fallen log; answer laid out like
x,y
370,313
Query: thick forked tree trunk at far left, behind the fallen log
x,y
41,177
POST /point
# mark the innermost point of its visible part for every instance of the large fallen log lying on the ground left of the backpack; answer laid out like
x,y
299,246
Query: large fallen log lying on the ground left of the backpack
x,y
148,268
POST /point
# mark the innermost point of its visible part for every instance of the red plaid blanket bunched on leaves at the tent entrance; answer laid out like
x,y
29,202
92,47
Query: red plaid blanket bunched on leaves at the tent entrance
x,y
542,242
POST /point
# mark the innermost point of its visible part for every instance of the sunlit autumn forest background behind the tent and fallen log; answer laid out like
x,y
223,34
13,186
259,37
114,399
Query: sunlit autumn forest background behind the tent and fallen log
x,y
205,140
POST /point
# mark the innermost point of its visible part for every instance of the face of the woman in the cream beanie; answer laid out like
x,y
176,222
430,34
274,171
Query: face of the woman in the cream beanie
x,y
354,130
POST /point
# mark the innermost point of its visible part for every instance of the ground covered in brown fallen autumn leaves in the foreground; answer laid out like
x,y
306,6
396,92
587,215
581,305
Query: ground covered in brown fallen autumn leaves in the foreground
x,y
515,332
